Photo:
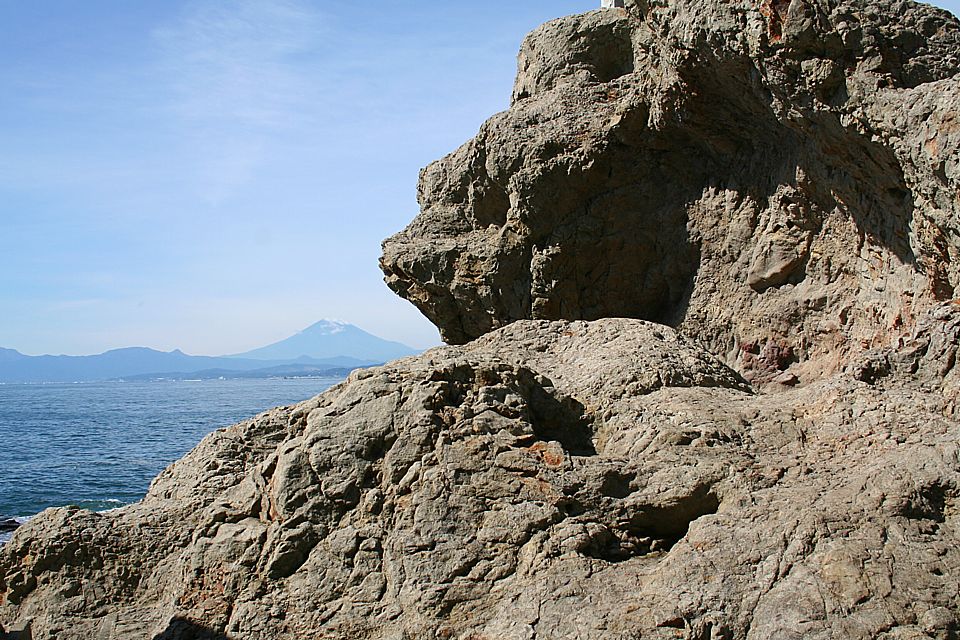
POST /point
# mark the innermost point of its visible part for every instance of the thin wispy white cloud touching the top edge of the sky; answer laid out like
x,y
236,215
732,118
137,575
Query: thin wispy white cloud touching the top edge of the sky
x,y
236,79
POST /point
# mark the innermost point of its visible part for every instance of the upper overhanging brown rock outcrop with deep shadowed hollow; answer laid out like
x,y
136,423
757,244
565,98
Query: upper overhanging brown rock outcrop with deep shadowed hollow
x,y
778,179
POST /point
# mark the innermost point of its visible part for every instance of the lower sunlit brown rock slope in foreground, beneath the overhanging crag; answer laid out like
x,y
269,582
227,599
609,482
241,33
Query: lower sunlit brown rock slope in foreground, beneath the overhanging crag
x,y
599,479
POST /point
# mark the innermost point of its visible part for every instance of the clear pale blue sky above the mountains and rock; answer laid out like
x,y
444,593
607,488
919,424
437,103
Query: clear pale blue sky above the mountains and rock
x,y
214,175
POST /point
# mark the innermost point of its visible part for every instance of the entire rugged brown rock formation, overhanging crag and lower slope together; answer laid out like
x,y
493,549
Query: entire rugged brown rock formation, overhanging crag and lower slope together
x,y
778,182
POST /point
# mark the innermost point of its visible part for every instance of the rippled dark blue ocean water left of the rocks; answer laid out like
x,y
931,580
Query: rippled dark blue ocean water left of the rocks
x,y
98,445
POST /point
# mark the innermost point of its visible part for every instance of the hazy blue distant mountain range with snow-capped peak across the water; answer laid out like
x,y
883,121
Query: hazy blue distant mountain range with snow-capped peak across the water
x,y
325,348
